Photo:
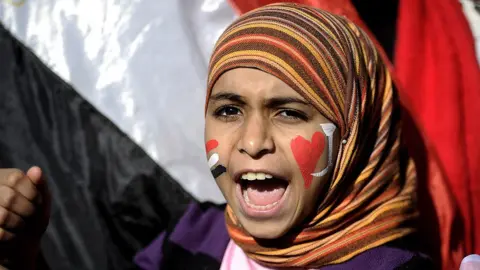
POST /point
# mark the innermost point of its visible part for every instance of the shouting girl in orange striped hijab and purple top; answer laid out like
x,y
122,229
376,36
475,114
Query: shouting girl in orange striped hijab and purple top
x,y
303,138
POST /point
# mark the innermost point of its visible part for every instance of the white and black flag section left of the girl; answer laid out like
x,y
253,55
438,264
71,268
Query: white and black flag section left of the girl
x,y
107,97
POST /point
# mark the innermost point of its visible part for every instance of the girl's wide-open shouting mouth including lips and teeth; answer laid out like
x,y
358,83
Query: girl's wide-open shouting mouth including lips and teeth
x,y
261,192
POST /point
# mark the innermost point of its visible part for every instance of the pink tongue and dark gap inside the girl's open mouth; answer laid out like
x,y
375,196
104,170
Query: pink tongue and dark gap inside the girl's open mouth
x,y
264,192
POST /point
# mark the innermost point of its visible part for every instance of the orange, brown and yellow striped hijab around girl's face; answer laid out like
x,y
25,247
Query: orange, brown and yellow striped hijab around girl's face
x,y
335,66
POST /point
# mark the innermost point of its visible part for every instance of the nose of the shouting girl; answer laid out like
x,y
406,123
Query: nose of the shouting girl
x,y
255,138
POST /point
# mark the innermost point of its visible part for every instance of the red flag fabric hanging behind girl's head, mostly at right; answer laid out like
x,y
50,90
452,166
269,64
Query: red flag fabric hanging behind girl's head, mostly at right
x,y
439,79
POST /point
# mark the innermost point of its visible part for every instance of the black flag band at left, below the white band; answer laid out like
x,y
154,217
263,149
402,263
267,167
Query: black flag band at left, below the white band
x,y
110,198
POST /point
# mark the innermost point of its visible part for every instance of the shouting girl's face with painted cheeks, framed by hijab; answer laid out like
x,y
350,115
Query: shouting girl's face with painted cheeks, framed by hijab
x,y
264,141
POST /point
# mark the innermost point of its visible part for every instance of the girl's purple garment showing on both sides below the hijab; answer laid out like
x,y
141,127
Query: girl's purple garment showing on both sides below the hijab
x,y
204,231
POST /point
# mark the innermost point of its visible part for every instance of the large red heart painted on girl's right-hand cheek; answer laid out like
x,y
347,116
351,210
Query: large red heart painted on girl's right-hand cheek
x,y
307,154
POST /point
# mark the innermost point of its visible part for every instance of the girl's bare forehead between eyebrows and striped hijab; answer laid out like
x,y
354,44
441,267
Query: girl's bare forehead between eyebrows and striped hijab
x,y
252,83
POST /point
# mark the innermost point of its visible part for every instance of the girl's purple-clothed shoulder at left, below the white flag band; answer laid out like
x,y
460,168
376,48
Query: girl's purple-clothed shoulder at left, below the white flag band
x,y
199,238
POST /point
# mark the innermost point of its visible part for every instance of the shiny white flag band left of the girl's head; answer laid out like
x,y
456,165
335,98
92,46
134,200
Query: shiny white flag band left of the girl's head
x,y
142,63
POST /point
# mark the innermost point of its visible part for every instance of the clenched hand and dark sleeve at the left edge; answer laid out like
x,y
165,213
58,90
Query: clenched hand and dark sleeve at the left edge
x,y
24,213
